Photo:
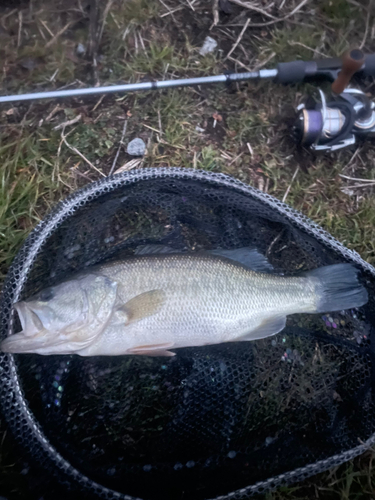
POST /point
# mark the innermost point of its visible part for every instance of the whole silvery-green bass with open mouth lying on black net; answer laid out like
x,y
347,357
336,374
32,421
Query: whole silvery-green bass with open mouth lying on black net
x,y
158,300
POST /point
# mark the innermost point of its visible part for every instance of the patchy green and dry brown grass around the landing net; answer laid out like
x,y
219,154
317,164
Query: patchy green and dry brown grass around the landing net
x,y
245,128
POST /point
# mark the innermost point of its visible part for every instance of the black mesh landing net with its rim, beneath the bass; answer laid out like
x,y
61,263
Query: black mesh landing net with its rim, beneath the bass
x,y
223,421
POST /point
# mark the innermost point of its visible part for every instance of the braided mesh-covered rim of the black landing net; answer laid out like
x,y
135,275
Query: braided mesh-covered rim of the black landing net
x,y
11,395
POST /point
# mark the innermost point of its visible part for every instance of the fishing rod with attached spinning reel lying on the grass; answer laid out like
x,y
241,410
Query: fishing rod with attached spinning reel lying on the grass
x,y
319,126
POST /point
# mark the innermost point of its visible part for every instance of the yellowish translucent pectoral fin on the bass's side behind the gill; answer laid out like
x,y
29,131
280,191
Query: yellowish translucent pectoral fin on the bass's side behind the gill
x,y
143,305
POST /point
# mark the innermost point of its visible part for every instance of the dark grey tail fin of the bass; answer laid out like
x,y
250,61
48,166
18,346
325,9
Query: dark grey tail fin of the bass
x,y
338,288
